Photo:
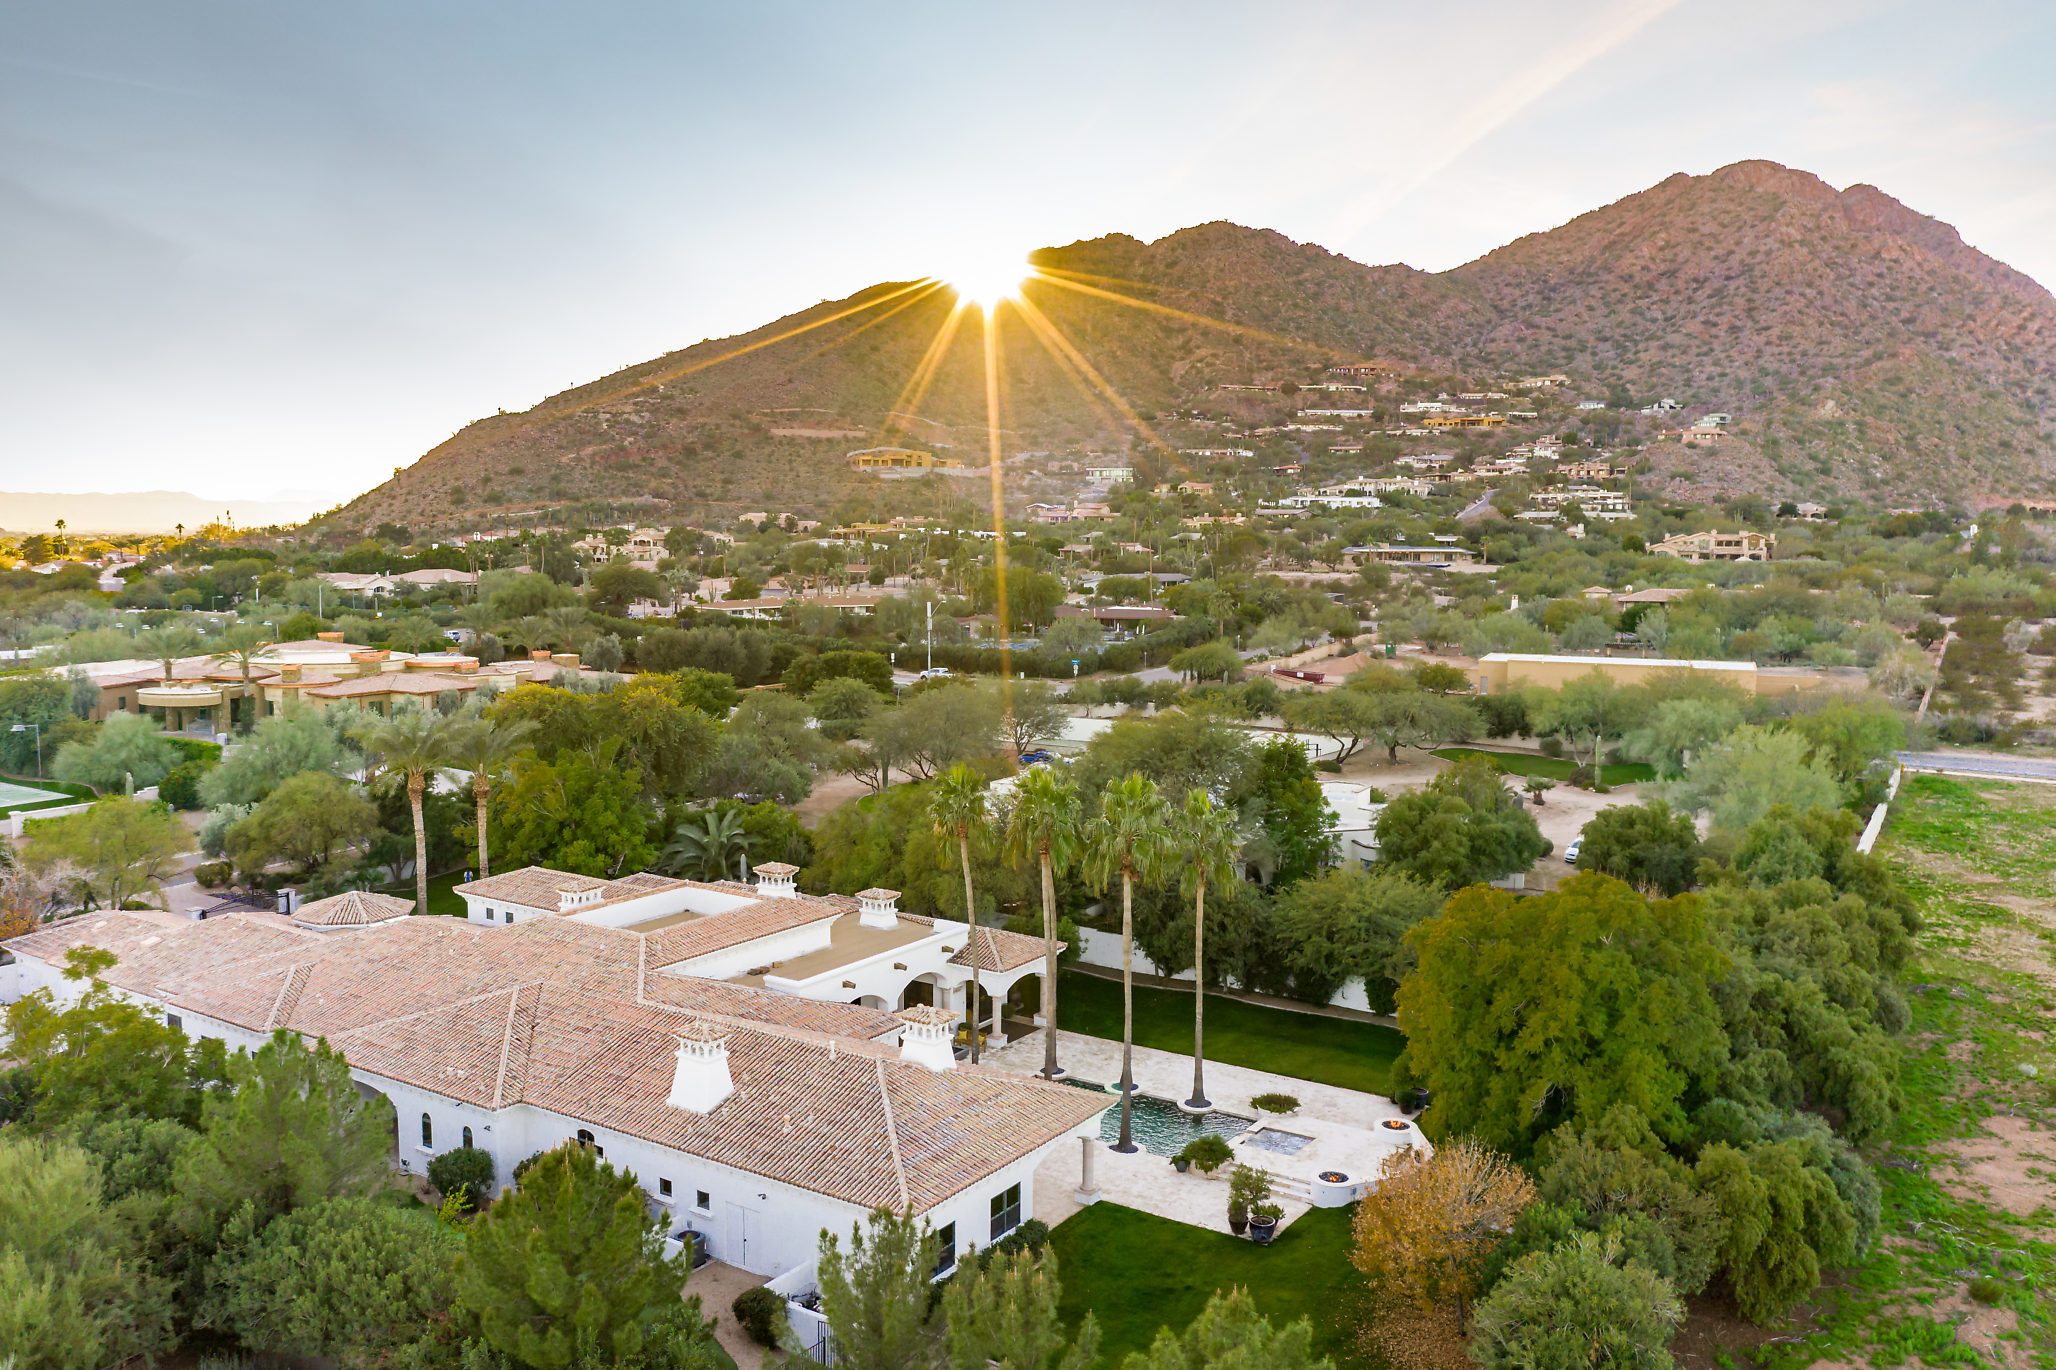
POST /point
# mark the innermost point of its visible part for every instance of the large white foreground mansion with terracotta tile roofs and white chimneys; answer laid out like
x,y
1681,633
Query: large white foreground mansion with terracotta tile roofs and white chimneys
x,y
733,1048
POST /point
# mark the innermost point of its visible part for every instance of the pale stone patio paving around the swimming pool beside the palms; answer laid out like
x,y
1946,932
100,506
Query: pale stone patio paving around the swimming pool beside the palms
x,y
1344,1128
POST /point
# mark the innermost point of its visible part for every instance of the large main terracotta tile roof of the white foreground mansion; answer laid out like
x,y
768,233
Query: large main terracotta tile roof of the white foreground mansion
x,y
548,1013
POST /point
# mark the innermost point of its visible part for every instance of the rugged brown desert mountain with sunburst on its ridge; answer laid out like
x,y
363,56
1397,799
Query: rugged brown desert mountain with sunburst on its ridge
x,y
1862,347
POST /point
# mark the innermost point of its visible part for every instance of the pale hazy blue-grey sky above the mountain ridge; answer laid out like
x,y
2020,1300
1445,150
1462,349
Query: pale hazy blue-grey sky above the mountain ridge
x,y
274,250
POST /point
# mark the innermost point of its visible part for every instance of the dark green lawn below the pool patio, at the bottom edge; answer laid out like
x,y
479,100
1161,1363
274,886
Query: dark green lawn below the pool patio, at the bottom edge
x,y
1138,1272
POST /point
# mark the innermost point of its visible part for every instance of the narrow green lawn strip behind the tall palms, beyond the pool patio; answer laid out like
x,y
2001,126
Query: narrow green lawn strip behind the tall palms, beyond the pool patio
x,y
1356,1056
